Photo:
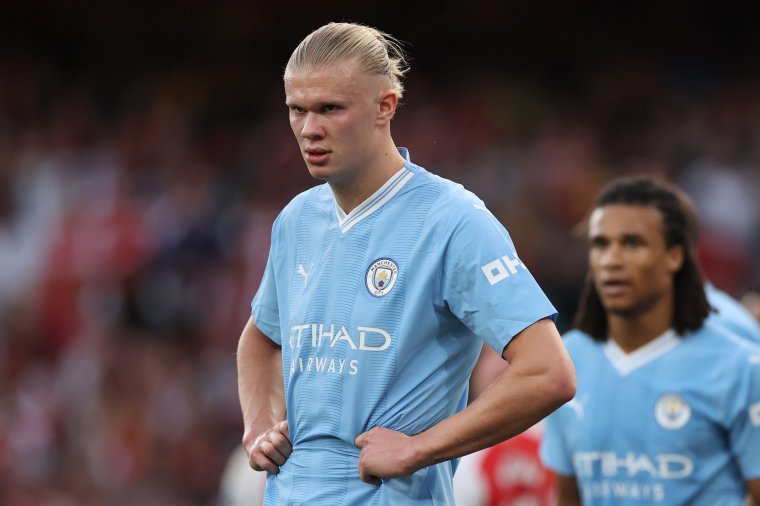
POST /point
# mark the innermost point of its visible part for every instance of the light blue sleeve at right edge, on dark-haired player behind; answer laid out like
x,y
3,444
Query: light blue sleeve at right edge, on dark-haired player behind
x,y
744,430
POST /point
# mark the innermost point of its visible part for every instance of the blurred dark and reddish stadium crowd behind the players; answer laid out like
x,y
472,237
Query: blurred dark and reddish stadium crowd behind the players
x,y
144,152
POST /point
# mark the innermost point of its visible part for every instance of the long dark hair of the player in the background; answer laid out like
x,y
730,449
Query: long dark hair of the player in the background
x,y
690,306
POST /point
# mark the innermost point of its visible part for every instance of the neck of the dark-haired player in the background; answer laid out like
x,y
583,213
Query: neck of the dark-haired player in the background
x,y
631,332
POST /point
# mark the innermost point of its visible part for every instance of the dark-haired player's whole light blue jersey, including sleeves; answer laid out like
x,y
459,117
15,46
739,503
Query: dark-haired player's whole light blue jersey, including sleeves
x,y
676,422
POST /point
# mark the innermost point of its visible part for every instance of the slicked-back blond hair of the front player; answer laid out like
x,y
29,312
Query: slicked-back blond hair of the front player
x,y
378,53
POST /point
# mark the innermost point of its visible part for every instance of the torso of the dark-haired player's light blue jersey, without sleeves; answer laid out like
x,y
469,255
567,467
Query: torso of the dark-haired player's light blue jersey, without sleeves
x,y
649,430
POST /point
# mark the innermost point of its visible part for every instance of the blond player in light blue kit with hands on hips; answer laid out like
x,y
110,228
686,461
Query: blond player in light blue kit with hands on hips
x,y
380,287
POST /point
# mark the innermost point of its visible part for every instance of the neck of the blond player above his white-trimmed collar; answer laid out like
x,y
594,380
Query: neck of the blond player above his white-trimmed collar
x,y
350,193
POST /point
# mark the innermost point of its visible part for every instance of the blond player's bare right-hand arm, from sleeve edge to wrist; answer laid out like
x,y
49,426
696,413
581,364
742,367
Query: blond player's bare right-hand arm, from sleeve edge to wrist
x,y
539,379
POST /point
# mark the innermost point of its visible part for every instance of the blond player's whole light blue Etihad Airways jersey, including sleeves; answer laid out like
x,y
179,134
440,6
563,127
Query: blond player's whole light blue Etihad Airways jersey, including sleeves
x,y
381,315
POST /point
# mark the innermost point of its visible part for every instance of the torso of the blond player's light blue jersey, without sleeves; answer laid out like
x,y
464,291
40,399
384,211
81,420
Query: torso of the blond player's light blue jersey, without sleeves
x,y
362,321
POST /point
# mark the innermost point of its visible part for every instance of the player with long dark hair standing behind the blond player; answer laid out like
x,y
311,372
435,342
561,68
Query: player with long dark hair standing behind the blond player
x,y
667,409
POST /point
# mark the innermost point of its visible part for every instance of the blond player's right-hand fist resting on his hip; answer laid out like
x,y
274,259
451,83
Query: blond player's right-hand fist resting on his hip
x,y
385,453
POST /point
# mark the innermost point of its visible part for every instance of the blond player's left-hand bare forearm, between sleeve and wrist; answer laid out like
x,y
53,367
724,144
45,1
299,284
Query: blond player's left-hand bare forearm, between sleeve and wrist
x,y
260,385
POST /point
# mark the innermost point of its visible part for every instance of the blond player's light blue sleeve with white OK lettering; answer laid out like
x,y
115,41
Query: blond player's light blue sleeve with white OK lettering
x,y
485,284
